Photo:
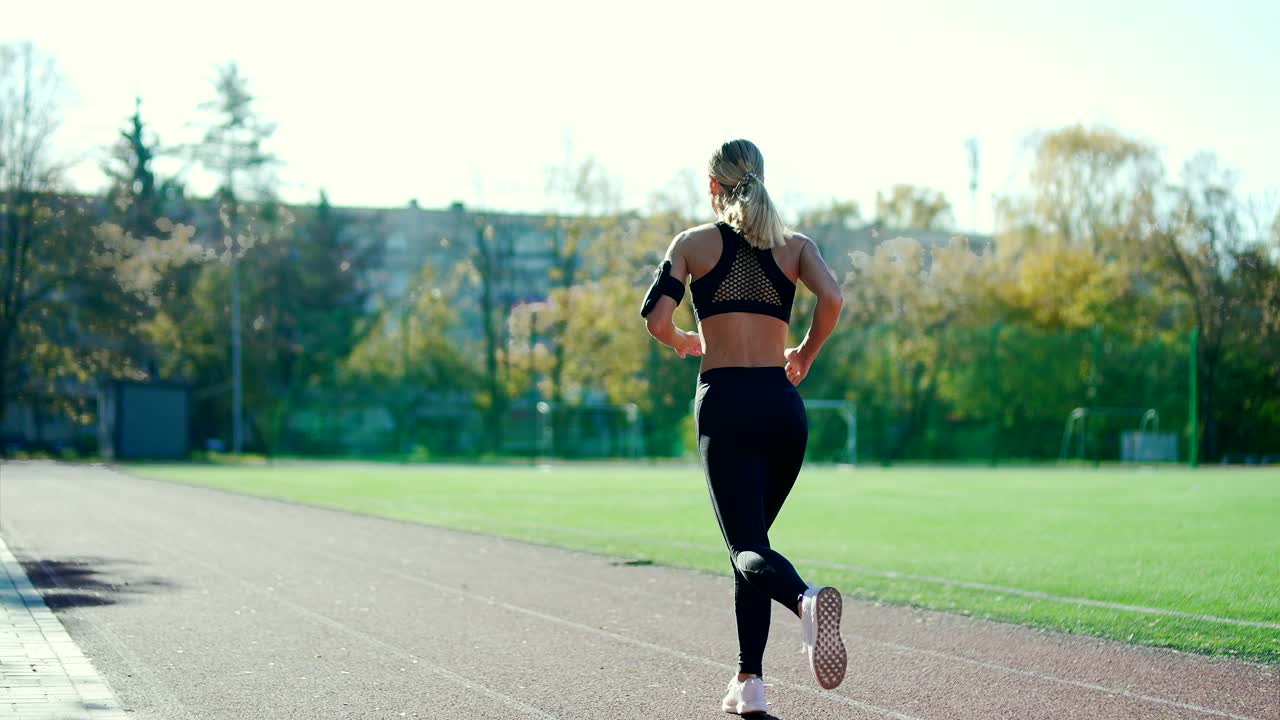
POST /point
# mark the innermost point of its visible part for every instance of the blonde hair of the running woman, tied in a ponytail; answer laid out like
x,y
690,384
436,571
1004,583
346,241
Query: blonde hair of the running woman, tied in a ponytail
x,y
743,203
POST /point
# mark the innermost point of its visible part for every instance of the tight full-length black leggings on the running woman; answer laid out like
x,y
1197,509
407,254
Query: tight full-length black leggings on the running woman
x,y
752,434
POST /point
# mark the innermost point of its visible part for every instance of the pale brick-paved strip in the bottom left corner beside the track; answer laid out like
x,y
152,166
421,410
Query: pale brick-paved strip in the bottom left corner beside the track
x,y
43,672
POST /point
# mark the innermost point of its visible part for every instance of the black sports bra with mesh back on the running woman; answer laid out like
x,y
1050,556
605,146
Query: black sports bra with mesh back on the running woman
x,y
746,280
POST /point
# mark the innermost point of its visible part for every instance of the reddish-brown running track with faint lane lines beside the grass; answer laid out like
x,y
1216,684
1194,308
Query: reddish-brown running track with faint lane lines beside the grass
x,y
203,604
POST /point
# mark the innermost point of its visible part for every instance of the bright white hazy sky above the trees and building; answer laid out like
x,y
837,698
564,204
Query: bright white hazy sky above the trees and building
x,y
382,102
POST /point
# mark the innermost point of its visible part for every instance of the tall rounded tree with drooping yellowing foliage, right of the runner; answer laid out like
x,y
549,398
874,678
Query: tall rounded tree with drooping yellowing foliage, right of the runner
x,y
1066,271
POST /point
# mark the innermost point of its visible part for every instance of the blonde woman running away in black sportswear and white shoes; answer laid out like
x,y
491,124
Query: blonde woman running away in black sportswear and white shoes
x,y
751,420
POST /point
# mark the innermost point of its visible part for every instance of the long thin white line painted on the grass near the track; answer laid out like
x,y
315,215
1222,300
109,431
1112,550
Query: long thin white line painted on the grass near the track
x,y
889,575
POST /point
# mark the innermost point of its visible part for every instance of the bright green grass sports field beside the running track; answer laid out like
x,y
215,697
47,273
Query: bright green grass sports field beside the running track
x,y
1203,543
